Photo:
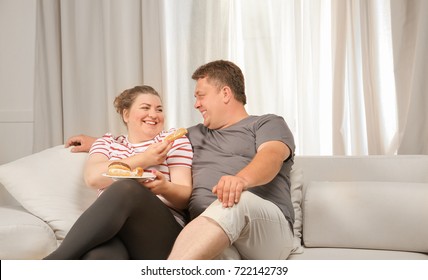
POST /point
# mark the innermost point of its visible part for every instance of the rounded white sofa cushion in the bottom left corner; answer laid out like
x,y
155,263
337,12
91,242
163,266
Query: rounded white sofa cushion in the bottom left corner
x,y
24,236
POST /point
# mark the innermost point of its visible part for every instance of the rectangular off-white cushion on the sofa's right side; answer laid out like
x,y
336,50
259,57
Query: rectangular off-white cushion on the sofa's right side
x,y
374,215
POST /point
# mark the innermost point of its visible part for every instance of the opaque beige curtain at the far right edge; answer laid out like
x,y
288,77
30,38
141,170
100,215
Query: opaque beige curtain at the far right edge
x,y
410,45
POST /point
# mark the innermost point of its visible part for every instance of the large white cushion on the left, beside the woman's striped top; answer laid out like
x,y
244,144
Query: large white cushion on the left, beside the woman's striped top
x,y
50,185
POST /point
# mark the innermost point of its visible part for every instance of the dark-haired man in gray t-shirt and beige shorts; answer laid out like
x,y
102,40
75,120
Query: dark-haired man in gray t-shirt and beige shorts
x,y
241,174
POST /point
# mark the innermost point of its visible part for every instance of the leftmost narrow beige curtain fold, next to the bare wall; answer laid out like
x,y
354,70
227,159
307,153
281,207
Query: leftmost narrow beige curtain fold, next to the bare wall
x,y
48,110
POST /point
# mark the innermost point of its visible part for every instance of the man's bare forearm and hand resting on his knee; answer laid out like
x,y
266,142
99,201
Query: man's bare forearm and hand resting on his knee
x,y
261,170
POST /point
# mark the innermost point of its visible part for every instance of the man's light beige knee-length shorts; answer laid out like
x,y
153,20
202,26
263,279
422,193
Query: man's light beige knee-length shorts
x,y
256,228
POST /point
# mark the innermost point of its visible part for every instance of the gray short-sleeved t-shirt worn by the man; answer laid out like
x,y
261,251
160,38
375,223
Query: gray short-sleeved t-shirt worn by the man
x,y
227,151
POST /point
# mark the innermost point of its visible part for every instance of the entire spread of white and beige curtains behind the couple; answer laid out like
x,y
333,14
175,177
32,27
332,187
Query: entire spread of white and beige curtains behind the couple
x,y
330,68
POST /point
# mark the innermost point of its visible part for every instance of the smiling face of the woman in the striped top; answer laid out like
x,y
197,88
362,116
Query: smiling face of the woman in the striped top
x,y
145,119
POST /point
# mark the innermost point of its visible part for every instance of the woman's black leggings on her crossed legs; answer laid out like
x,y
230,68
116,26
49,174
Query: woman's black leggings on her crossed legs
x,y
126,222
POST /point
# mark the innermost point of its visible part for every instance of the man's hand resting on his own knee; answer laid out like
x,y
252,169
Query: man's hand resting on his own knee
x,y
229,189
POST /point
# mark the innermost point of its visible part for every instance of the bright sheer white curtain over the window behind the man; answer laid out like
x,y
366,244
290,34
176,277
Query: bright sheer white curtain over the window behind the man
x,y
326,66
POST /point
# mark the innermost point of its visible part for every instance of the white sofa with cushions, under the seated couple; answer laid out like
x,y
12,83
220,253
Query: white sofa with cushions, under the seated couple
x,y
369,207
